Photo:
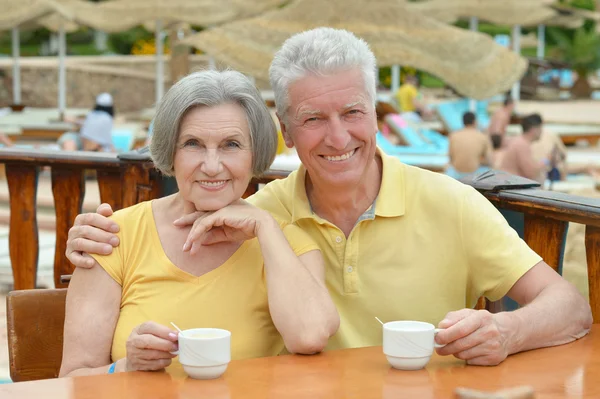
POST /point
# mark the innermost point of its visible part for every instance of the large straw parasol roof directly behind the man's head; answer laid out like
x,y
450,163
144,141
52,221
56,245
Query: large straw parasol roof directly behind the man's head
x,y
470,62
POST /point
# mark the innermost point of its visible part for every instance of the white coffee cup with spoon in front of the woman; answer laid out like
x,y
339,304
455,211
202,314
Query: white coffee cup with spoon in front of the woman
x,y
204,353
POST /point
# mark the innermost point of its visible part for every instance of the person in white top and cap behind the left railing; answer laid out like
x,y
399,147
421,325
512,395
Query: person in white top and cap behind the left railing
x,y
96,131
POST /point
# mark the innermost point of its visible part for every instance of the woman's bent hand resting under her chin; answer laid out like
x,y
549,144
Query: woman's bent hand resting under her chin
x,y
239,221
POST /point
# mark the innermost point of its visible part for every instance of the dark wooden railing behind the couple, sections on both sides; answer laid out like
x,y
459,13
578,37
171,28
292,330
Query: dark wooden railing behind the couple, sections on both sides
x,y
131,178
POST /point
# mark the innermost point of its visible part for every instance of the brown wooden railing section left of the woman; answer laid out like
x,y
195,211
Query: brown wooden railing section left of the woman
x,y
121,183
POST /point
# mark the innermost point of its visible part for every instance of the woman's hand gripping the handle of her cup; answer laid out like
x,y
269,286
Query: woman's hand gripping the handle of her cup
x,y
149,347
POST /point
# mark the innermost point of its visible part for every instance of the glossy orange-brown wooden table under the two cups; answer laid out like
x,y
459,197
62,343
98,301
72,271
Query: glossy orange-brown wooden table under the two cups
x,y
569,371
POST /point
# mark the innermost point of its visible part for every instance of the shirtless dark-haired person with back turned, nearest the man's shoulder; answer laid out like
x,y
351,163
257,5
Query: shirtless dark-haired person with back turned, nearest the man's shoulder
x,y
470,150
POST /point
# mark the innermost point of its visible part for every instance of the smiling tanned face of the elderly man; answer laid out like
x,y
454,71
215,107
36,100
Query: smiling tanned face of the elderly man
x,y
332,123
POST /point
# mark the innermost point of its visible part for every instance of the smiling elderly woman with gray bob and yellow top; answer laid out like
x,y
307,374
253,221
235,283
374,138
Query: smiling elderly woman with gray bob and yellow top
x,y
258,278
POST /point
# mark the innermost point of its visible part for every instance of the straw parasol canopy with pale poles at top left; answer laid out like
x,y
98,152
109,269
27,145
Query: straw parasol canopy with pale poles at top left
x,y
115,16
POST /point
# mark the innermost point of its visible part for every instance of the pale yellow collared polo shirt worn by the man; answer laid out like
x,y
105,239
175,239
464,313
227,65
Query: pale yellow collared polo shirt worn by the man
x,y
429,245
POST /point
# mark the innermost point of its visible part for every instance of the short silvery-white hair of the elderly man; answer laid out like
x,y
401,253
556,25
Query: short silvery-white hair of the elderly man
x,y
321,52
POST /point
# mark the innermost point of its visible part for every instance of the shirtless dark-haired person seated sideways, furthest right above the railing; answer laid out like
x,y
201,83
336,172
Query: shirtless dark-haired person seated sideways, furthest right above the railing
x,y
518,157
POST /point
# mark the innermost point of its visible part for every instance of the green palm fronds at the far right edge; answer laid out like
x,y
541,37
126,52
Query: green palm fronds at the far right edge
x,y
582,51
